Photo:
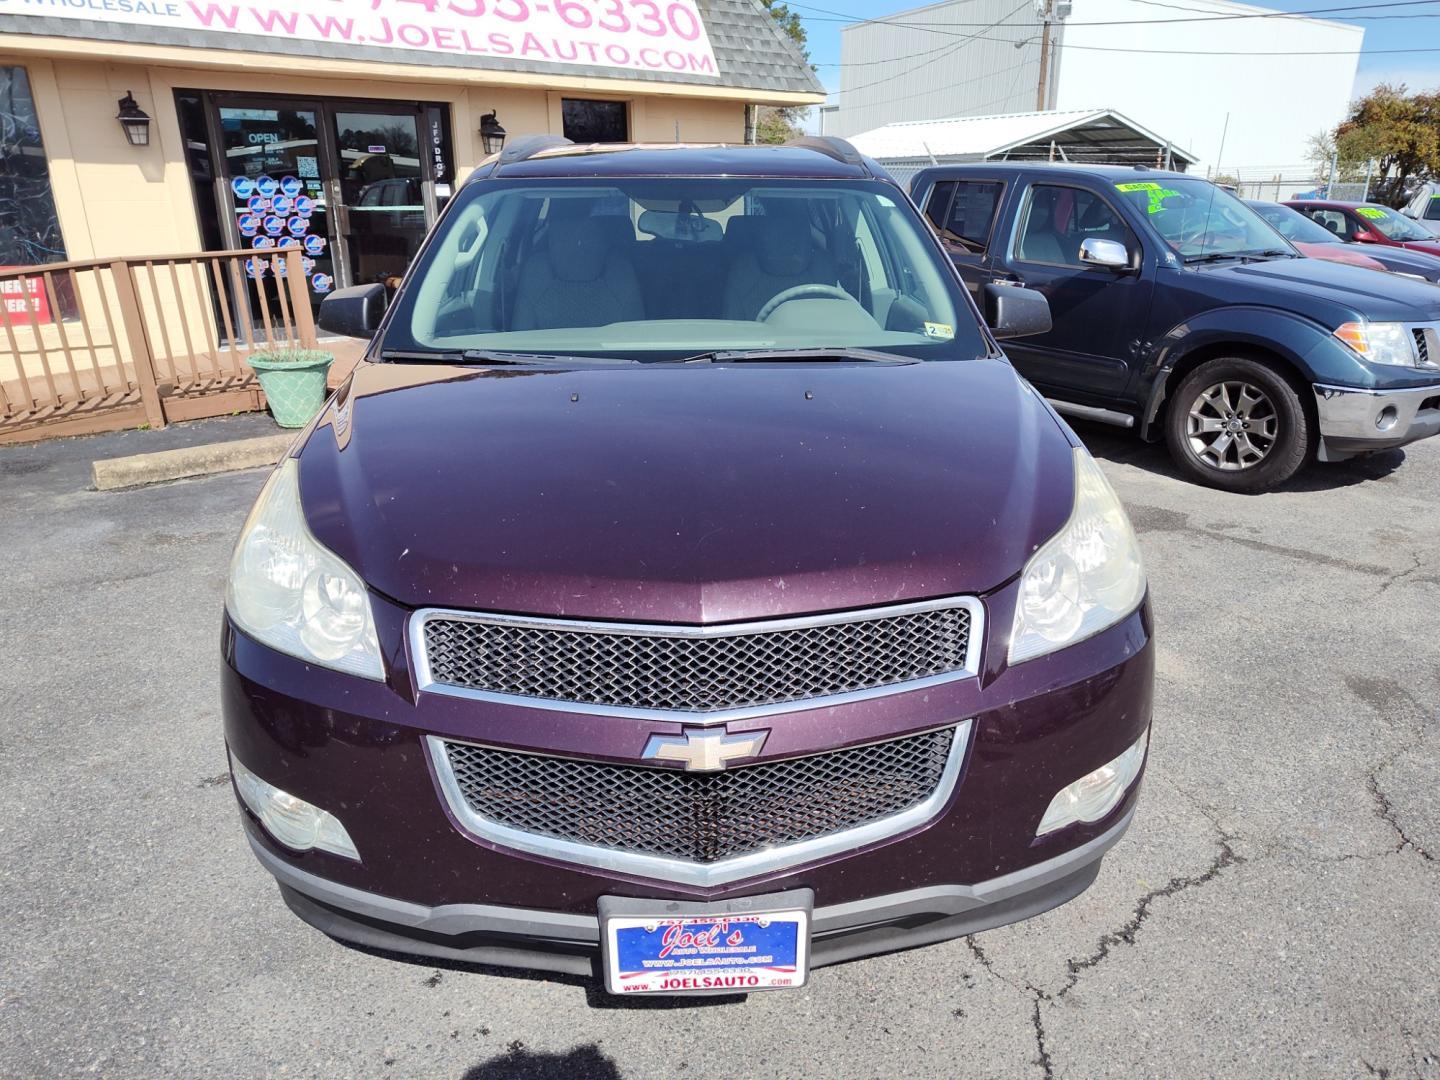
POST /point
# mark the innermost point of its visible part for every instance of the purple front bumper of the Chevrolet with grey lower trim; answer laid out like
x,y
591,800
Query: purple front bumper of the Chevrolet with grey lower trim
x,y
427,885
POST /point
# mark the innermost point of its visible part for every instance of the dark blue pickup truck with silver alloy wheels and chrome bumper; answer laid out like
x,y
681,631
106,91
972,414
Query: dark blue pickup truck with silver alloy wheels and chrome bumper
x,y
1180,312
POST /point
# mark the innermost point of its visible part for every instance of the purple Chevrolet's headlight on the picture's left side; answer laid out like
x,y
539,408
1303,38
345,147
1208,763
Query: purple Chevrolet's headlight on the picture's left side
x,y
292,594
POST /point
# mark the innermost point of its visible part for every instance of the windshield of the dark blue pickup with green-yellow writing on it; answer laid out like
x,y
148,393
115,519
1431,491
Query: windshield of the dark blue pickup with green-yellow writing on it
x,y
1199,220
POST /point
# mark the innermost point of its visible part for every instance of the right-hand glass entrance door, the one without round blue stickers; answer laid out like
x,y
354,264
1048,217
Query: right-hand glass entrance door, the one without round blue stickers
x,y
379,192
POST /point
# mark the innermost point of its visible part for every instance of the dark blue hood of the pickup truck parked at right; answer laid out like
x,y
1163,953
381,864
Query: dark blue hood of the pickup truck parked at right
x,y
1317,287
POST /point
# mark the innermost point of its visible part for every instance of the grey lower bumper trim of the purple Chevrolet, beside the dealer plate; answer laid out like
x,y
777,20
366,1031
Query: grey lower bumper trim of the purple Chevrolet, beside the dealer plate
x,y
571,944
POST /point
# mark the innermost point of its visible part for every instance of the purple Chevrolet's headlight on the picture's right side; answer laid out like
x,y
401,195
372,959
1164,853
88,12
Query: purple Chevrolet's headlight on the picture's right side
x,y
1088,577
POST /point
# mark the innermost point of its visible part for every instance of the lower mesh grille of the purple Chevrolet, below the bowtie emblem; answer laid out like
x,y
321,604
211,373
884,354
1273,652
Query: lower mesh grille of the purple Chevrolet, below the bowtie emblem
x,y
699,819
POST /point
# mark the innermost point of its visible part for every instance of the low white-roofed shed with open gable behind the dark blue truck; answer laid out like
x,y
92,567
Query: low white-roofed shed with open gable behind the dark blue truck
x,y
1098,136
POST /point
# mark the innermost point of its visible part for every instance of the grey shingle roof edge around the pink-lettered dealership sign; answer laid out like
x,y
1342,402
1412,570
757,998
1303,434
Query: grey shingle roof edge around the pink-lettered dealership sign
x,y
752,53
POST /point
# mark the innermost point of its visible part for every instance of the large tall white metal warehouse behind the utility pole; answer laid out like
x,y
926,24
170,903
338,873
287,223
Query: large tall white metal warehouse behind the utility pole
x,y
1203,73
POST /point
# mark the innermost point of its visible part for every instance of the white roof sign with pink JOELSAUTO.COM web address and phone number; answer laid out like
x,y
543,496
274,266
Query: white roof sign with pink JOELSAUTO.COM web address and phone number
x,y
634,35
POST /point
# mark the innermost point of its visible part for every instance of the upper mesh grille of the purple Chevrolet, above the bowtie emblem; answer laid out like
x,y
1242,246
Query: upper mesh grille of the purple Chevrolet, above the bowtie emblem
x,y
696,670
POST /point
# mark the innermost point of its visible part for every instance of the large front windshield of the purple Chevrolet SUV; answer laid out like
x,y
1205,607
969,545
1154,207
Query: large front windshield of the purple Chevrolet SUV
x,y
659,269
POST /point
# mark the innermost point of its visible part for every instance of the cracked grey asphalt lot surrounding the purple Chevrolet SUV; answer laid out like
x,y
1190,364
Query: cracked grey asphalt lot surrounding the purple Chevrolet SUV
x,y
1275,911
